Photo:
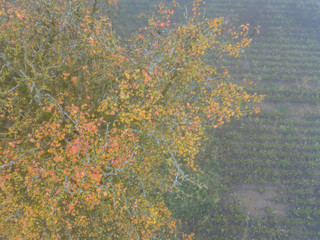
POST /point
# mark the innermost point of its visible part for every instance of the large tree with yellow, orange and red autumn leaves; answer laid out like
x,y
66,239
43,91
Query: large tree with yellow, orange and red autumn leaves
x,y
94,131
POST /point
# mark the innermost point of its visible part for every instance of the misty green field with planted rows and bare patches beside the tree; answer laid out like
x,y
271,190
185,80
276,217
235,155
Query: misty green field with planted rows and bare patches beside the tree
x,y
264,170
